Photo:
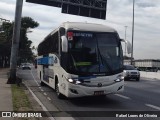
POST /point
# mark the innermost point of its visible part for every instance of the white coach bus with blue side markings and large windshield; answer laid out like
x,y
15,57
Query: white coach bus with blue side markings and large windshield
x,y
82,59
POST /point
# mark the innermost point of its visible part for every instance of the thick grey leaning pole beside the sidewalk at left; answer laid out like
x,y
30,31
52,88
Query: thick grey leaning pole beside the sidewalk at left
x,y
15,42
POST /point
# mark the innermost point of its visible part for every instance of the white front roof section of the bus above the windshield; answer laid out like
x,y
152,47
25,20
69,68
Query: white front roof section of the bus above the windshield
x,y
84,26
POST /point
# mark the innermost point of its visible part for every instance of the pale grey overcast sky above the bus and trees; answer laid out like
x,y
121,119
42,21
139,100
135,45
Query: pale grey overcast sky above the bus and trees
x,y
119,15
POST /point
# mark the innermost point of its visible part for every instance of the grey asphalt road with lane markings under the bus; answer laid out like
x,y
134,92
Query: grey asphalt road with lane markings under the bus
x,y
143,95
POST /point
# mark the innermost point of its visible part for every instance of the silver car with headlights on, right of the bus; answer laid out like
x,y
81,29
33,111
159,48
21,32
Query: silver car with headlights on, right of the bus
x,y
130,72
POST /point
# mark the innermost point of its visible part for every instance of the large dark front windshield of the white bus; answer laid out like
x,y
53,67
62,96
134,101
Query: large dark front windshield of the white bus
x,y
95,53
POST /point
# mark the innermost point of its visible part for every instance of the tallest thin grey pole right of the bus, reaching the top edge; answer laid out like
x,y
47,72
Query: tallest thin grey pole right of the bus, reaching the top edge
x,y
132,34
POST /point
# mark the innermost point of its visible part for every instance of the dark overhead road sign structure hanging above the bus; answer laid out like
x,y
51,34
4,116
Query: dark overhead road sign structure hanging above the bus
x,y
87,8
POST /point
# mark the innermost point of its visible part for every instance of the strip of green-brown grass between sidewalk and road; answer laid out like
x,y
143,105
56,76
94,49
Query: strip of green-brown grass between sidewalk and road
x,y
20,99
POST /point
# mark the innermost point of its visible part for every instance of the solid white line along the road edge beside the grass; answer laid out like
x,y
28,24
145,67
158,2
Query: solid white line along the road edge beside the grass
x,y
40,103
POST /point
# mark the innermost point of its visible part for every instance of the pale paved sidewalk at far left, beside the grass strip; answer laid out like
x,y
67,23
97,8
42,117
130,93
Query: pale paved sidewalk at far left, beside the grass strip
x,y
5,93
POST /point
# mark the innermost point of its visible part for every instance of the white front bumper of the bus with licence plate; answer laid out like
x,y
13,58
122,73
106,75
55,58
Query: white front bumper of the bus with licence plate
x,y
81,91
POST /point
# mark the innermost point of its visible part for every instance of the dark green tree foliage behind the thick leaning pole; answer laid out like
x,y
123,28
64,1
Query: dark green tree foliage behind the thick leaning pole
x,y
25,51
